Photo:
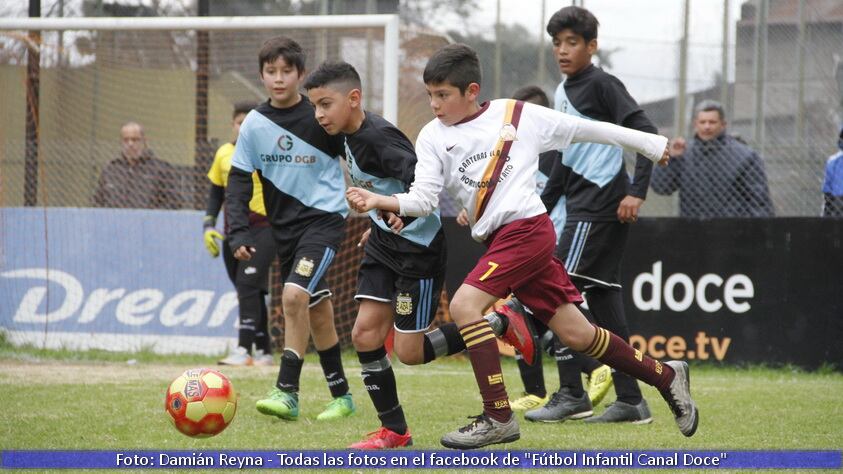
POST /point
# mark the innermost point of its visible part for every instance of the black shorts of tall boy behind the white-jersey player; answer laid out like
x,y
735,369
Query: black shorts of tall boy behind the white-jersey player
x,y
592,252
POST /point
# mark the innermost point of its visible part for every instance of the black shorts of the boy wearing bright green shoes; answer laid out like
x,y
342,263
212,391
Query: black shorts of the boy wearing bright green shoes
x,y
305,261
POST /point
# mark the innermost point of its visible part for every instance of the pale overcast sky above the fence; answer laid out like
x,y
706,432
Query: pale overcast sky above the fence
x,y
647,33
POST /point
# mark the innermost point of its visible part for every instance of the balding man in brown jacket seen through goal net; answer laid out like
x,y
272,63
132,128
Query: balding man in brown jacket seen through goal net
x,y
137,179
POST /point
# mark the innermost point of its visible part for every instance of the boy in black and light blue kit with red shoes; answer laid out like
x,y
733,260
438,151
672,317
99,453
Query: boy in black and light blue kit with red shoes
x,y
402,273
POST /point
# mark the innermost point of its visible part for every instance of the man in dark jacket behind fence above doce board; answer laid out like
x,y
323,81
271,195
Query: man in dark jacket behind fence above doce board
x,y
716,175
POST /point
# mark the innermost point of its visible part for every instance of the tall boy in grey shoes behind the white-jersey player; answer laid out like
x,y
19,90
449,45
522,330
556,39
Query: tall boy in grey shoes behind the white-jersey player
x,y
601,204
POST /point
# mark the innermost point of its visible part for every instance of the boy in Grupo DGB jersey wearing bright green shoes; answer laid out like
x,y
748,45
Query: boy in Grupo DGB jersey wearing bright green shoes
x,y
303,191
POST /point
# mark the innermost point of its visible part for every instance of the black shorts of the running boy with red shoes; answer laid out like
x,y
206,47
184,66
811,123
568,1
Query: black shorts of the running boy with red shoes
x,y
414,300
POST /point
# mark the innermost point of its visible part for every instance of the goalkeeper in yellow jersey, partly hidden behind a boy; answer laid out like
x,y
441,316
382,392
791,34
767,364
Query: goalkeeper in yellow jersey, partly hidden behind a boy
x,y
249,278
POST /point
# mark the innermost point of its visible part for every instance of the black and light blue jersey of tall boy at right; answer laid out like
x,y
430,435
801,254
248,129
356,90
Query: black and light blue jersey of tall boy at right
x,y
596,179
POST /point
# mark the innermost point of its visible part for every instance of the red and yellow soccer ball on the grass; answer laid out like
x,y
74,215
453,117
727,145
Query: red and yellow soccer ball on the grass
x,y
201,402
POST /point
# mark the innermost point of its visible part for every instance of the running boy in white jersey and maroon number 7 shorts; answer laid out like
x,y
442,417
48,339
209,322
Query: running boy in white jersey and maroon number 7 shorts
x,y
486,156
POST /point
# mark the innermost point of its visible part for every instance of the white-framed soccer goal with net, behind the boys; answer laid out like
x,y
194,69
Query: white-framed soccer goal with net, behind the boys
x,y
79,271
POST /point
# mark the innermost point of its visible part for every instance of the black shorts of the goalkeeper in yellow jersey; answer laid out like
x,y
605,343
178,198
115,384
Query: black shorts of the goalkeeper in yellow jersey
x,y
253,273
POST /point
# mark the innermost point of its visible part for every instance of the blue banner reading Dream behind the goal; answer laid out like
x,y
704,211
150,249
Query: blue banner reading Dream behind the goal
x,y
87,278
